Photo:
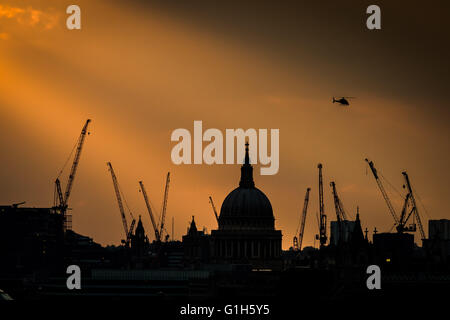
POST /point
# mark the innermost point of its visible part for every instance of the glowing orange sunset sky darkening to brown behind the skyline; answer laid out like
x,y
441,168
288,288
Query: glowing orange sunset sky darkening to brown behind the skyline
x,y
140,69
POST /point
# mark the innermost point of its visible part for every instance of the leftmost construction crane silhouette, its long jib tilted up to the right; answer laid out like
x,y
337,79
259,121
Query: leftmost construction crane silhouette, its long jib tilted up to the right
x,y
63,200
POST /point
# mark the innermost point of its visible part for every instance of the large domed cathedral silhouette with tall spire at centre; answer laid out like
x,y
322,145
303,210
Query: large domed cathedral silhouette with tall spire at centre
x,y
246,233
